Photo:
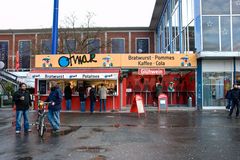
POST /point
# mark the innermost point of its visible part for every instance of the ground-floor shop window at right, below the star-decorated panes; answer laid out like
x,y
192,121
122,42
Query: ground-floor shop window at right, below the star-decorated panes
x,y
215,87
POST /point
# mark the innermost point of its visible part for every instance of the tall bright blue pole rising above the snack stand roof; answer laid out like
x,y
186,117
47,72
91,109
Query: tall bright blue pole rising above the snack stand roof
x,y
55,28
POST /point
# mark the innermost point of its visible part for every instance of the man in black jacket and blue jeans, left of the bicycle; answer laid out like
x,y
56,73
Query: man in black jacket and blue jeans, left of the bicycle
x,y
22,101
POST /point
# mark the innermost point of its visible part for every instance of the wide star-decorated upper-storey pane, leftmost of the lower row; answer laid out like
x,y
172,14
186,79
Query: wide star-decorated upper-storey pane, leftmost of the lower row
x,y
210,27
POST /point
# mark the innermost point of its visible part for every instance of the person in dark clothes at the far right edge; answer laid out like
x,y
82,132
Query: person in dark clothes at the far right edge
x,y
235,95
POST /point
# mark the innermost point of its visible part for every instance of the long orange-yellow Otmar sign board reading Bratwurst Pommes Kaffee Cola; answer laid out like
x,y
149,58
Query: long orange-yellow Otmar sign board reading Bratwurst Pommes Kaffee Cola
x,y
116,60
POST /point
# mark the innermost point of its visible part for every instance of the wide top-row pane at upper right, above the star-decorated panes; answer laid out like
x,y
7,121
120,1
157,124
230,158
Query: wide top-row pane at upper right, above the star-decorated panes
x,y
211,7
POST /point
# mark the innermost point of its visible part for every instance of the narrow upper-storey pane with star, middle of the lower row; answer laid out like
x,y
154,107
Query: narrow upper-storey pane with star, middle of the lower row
x,y
225,34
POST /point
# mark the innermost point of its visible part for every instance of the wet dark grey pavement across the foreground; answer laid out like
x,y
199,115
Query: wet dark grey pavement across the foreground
x,y
176,135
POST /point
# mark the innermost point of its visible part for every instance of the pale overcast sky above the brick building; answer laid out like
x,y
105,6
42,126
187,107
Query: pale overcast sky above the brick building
x,y
27,14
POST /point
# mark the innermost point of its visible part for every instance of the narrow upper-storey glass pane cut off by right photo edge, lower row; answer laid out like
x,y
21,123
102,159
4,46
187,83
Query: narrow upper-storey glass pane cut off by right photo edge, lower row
x,y
236,33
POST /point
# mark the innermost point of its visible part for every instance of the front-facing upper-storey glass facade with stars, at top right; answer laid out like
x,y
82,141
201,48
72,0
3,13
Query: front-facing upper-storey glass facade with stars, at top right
x,y
222,17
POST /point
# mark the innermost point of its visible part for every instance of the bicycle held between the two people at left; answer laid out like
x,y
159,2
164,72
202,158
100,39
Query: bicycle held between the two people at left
x,y
40,122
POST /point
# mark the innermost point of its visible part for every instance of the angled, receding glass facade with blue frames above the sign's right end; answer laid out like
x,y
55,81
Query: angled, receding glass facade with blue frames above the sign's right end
x,y
177,27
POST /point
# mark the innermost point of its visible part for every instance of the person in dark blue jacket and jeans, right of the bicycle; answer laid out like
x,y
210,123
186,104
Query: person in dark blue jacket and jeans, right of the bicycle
x,y
54,107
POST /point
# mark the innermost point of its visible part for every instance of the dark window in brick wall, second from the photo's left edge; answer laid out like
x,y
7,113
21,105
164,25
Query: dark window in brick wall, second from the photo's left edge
x,y
24,49
